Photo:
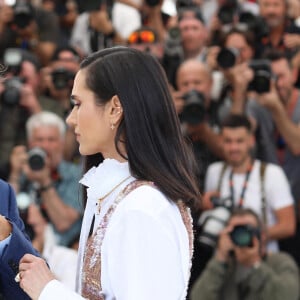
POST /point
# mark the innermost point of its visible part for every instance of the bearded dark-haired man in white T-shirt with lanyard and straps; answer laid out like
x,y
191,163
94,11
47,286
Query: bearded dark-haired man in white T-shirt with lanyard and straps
x,y
239,179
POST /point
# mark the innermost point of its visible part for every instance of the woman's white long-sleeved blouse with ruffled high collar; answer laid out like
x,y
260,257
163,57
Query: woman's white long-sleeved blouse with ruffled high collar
x,y
145,251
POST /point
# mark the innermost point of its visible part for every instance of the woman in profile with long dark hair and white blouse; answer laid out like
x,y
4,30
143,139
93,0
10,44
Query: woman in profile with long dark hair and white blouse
x,y
136,238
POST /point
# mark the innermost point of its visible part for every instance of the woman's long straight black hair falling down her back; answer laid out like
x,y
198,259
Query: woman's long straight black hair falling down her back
x,y
150,129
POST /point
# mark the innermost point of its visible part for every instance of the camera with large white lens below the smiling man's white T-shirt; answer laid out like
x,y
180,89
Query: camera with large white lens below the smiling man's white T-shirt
x,y
212,222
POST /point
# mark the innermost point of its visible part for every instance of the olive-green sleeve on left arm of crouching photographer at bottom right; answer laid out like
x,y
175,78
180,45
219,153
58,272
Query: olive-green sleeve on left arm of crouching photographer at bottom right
x,y
210,283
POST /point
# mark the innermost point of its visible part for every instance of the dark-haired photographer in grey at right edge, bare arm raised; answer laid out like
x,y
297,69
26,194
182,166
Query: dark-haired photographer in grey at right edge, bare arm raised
x,y
277,115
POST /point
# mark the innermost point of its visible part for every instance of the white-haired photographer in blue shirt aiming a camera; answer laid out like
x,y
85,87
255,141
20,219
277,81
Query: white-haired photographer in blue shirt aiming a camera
x,y
46,178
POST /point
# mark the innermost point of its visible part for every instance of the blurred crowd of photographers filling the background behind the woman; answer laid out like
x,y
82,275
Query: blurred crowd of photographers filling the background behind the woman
x,y
234,72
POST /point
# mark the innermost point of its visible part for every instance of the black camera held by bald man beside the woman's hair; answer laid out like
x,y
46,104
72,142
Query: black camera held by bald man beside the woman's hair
x,y
194,108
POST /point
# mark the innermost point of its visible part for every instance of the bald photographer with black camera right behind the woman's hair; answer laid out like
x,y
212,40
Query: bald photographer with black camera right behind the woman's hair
x,y
198,114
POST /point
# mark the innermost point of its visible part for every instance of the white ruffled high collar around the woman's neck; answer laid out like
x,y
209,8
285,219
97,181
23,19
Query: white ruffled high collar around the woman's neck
x,y
103,178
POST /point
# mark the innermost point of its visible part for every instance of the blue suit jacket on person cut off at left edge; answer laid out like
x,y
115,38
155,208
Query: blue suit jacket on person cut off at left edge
x,y
18,246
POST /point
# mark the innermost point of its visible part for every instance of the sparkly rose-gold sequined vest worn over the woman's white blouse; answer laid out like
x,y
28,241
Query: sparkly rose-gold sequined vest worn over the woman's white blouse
x,y
91,272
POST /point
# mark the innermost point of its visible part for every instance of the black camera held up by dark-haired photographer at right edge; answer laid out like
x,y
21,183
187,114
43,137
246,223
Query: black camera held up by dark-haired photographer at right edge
x,y
261,83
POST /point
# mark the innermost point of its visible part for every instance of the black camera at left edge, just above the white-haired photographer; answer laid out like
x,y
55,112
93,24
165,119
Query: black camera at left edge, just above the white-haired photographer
x,y
12,91
